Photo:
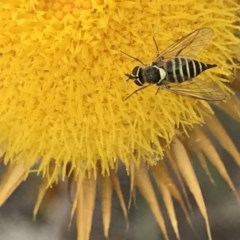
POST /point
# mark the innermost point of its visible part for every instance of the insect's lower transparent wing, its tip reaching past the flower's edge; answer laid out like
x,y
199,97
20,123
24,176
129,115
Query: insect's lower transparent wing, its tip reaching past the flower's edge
x,y
203,90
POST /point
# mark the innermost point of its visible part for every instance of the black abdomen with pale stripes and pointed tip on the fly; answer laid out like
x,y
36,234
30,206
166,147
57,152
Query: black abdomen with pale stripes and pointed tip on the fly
x,y
182,69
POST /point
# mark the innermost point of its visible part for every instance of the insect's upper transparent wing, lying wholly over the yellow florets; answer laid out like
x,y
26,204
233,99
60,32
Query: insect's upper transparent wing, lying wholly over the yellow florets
x,y
188,46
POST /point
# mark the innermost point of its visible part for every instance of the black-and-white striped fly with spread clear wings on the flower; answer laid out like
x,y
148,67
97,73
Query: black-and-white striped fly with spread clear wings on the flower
x,y
173,69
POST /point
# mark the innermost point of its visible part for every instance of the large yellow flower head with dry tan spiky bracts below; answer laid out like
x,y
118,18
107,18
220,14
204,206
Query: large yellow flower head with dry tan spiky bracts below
x,y
62,86
